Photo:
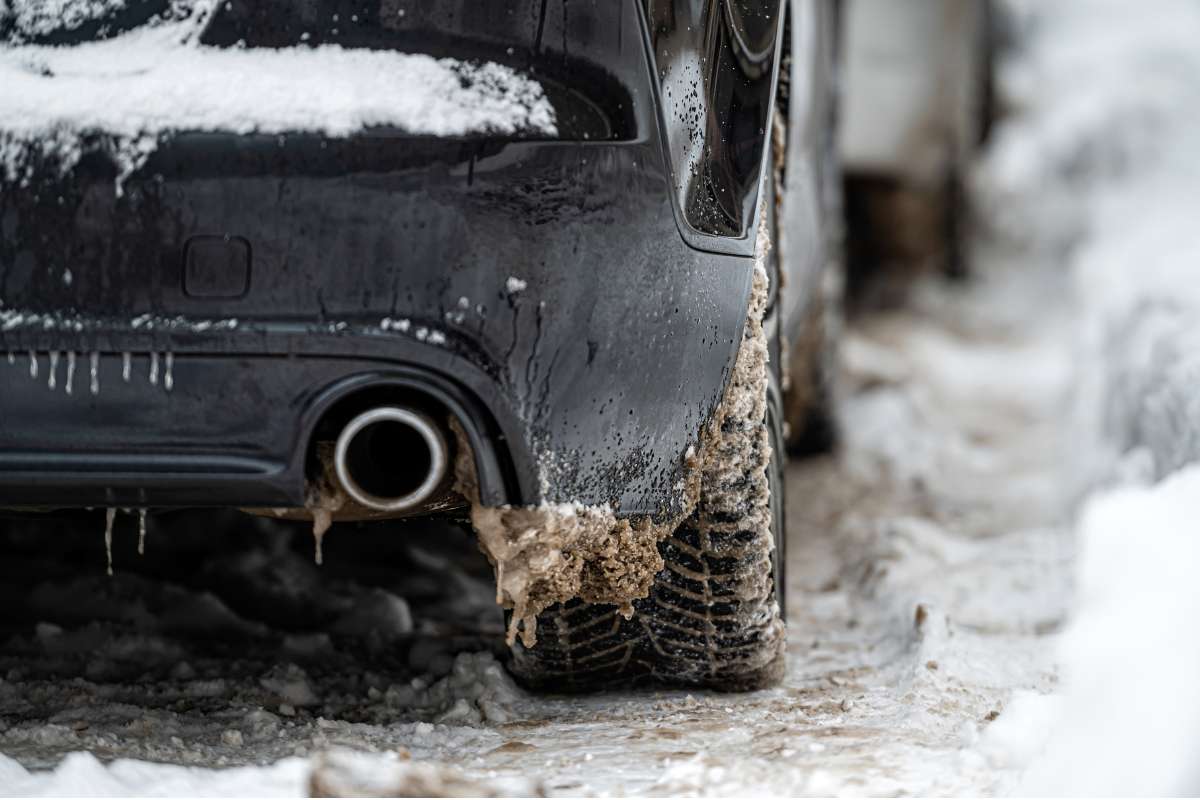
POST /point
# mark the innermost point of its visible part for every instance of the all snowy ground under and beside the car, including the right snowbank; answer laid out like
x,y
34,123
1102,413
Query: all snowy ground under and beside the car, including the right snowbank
x,y
991,587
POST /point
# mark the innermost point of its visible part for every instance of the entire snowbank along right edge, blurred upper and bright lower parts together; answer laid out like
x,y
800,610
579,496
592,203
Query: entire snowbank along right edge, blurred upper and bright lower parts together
x,y
1099,172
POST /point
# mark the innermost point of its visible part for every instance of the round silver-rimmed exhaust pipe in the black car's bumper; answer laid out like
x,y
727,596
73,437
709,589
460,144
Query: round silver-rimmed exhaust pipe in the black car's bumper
x,y
392,459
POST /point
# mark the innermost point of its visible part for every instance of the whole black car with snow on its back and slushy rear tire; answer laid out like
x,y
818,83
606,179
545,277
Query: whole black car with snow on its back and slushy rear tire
x,y
572,321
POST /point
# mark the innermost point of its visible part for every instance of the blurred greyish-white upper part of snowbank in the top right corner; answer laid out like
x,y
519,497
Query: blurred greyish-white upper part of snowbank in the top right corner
x,y
1099,171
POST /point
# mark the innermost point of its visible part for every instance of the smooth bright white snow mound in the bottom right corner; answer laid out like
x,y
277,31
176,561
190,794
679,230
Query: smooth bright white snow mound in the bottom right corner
x,y
1132,705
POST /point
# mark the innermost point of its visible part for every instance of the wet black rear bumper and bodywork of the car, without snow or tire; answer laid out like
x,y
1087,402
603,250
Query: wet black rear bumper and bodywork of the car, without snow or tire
x,y
554,296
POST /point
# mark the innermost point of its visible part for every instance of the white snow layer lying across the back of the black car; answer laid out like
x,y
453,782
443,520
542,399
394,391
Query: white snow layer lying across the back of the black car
x,y
158,79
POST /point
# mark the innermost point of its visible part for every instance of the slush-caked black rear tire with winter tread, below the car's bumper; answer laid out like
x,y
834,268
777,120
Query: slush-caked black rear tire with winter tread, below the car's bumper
x,y
713,618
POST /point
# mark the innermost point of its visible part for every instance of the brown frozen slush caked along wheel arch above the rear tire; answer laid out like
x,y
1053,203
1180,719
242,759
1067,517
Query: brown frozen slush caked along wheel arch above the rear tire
x,y
554,554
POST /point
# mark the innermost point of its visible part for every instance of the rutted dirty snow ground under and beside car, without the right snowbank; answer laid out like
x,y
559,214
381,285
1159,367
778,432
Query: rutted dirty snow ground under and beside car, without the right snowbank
x,y
928,576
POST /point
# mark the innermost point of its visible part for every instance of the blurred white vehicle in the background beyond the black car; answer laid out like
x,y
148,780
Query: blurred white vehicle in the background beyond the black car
x,y
916,91
